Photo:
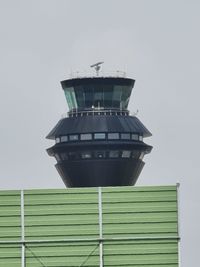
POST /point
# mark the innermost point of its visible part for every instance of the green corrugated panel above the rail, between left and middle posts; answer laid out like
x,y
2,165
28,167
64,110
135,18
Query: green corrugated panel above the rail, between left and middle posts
x,y
61,213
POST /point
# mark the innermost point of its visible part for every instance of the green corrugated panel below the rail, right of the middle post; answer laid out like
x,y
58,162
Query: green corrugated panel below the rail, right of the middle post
x,y
140,254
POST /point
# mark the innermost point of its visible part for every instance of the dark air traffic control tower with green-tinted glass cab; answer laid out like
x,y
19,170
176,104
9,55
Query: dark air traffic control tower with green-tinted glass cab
x,y
99,143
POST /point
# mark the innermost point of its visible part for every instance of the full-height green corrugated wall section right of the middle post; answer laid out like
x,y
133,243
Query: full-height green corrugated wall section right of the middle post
x,y
141,213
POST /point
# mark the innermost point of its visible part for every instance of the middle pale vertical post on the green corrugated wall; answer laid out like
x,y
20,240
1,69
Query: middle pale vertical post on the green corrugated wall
x,y
100,228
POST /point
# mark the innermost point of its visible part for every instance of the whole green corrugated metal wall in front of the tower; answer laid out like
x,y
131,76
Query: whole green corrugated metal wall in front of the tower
x,y
61,227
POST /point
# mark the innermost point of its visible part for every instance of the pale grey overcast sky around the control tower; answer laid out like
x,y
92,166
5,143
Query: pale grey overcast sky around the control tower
x,y
156,42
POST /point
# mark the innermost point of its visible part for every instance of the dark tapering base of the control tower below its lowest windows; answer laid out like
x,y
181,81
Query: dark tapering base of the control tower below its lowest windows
x,y
100,173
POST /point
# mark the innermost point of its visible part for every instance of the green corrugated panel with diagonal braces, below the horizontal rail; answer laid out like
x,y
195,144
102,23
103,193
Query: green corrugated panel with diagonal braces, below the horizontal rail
x,y
59,254
